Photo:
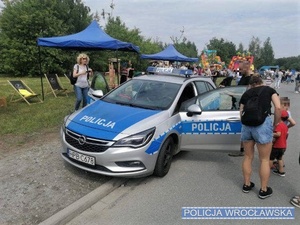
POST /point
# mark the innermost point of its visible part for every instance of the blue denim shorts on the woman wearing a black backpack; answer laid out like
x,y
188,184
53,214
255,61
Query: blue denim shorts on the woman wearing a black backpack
x,y
262,134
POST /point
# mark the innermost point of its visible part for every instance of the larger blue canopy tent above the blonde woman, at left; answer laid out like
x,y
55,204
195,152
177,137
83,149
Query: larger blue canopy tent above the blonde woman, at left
x,y
92,38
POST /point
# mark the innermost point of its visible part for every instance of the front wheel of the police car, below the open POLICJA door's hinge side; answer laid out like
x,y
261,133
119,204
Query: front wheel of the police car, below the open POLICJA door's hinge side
x,y
164,159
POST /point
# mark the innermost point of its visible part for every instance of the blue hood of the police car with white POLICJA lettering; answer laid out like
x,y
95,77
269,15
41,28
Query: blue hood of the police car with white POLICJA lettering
x,y
106,120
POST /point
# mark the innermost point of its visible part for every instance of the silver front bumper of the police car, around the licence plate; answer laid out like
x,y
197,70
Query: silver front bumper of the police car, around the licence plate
x,y
117,162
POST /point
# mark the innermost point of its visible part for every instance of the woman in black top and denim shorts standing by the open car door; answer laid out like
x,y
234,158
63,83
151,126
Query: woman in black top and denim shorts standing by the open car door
x,y
261,135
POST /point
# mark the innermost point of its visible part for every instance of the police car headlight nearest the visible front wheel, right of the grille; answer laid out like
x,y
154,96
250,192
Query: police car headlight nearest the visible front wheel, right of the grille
x,y
137,140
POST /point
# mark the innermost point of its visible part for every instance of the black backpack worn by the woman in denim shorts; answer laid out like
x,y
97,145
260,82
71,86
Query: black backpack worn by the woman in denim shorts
x,y
254,113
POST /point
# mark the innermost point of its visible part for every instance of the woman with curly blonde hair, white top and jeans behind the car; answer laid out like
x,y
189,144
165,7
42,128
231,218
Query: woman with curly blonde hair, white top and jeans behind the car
x,y
81,72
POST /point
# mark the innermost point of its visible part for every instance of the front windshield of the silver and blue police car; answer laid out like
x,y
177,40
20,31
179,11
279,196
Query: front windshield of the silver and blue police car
x,y
148,94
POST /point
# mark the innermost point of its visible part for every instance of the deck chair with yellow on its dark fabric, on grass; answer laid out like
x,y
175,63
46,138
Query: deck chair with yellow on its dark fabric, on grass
x,y
24,91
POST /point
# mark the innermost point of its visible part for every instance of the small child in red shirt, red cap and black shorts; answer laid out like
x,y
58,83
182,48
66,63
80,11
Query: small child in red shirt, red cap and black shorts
x,y
280,144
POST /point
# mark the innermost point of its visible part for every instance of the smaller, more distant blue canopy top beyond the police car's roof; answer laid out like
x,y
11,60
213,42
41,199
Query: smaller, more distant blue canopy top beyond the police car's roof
x,y
169,54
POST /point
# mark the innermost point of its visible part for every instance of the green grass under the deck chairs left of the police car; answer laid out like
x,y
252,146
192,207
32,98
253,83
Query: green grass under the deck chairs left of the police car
x,y
19,118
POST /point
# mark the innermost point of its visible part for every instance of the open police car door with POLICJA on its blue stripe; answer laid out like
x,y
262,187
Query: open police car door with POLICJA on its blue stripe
x,y
218,127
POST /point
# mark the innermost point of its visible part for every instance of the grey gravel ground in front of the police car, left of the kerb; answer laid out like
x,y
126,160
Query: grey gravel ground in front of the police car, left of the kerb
x,y
35,182
